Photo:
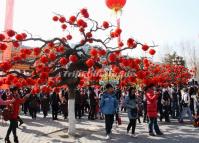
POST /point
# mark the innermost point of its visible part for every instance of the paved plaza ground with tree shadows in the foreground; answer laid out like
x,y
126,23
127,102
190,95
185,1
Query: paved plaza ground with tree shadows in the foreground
x,y
48,131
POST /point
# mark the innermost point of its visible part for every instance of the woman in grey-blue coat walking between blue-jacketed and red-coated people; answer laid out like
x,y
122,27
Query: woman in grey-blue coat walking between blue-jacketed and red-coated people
x,y
132,111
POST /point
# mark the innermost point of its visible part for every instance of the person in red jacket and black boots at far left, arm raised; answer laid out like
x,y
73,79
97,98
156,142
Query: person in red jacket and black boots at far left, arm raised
x,y
14,116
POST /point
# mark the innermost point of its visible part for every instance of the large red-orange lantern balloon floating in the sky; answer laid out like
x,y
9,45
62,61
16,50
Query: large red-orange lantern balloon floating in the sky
x,y
115,5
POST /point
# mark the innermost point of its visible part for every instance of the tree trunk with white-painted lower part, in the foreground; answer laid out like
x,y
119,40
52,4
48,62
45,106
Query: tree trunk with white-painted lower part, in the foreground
x,y
71,112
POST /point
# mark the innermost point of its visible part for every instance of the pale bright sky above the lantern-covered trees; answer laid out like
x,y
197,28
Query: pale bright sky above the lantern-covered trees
x,y
165,22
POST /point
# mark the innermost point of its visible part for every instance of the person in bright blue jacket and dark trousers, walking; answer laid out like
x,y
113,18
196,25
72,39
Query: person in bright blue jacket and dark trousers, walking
x,y
108,106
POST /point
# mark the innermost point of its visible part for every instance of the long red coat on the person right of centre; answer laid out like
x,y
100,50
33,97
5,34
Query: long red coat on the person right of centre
x,y
152,100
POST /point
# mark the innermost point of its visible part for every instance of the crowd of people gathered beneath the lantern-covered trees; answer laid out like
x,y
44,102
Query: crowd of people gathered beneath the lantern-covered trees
x,y
106,103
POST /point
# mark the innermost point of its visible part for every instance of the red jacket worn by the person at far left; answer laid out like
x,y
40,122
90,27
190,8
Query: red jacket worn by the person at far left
x,y
16,107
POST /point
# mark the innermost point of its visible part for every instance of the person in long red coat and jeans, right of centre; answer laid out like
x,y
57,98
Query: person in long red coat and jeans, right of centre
x,y
152,99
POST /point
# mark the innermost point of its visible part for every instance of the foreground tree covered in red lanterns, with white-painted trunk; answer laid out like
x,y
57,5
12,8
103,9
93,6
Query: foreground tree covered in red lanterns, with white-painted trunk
x,y
59,62
